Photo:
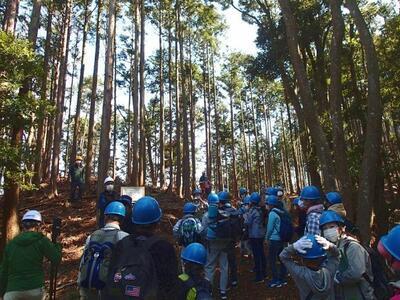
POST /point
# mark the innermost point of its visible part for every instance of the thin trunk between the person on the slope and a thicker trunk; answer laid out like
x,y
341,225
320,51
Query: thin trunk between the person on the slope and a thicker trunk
x,y
93,97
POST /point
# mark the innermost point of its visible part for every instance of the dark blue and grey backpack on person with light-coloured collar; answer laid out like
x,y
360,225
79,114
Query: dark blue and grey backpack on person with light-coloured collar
x,y
96,259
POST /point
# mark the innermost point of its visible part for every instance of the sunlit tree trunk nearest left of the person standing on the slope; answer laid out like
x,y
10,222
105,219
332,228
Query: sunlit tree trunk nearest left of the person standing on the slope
x,y
65,36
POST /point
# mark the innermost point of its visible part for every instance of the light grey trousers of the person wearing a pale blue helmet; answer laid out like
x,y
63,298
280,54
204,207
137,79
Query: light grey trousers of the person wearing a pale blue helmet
x,y
216,253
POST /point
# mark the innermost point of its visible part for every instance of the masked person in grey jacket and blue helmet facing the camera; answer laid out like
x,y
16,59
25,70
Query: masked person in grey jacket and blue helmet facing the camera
x,y
353,278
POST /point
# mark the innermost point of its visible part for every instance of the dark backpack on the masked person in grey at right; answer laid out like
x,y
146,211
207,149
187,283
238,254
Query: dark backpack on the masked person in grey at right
x,y
380,283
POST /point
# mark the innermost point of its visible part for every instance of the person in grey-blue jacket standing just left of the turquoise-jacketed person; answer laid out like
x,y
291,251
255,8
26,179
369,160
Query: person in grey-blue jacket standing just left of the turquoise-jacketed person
x,y
253,219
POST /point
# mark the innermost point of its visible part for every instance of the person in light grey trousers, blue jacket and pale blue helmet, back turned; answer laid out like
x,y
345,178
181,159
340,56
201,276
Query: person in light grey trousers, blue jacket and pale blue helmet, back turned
x,y
217,246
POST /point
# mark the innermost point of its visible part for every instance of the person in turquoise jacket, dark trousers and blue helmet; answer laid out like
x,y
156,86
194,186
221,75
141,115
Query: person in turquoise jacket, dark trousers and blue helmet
x,y
274,240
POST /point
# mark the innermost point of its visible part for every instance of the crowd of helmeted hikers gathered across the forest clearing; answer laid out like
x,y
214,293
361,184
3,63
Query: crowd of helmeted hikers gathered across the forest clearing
x,y
308,239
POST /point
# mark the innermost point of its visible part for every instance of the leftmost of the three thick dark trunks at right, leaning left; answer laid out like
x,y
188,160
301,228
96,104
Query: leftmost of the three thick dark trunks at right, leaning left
x,y
313,123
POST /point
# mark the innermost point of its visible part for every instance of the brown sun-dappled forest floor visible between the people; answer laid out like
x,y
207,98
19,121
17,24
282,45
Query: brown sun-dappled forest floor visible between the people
x,y
79,221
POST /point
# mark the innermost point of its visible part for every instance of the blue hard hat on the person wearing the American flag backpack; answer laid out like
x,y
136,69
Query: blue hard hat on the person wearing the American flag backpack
x,y
146,211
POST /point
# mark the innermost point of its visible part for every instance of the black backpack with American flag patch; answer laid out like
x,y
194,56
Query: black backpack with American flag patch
x,y
132,274
